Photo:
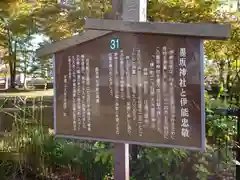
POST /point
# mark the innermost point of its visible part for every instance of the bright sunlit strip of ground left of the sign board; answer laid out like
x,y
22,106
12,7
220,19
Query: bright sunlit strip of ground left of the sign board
x,y
34,93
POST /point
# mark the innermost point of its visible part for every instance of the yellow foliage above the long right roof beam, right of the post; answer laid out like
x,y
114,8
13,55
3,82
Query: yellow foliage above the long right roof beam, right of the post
x,y
182,10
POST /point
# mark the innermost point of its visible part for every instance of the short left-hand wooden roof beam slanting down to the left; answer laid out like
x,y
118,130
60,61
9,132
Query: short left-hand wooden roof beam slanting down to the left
x,y
52,48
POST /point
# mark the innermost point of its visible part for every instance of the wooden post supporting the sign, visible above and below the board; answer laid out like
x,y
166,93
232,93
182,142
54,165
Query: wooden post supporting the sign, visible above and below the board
x,y
127,10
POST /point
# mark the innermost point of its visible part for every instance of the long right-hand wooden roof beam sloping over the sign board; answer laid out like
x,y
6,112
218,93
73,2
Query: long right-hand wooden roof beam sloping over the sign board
x,y
204,31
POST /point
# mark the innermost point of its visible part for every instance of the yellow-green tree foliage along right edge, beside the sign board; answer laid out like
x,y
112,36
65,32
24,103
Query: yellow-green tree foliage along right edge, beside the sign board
x,y
226,55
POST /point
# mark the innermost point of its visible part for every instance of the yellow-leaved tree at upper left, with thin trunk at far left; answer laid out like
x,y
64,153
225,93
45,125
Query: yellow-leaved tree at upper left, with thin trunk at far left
x,y
22,19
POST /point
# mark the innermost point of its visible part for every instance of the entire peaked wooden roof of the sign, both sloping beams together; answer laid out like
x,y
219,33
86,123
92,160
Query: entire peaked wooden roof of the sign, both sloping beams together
x,y
100,27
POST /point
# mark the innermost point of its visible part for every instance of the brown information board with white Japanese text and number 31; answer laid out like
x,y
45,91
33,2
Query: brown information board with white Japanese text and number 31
x,y
132,88
